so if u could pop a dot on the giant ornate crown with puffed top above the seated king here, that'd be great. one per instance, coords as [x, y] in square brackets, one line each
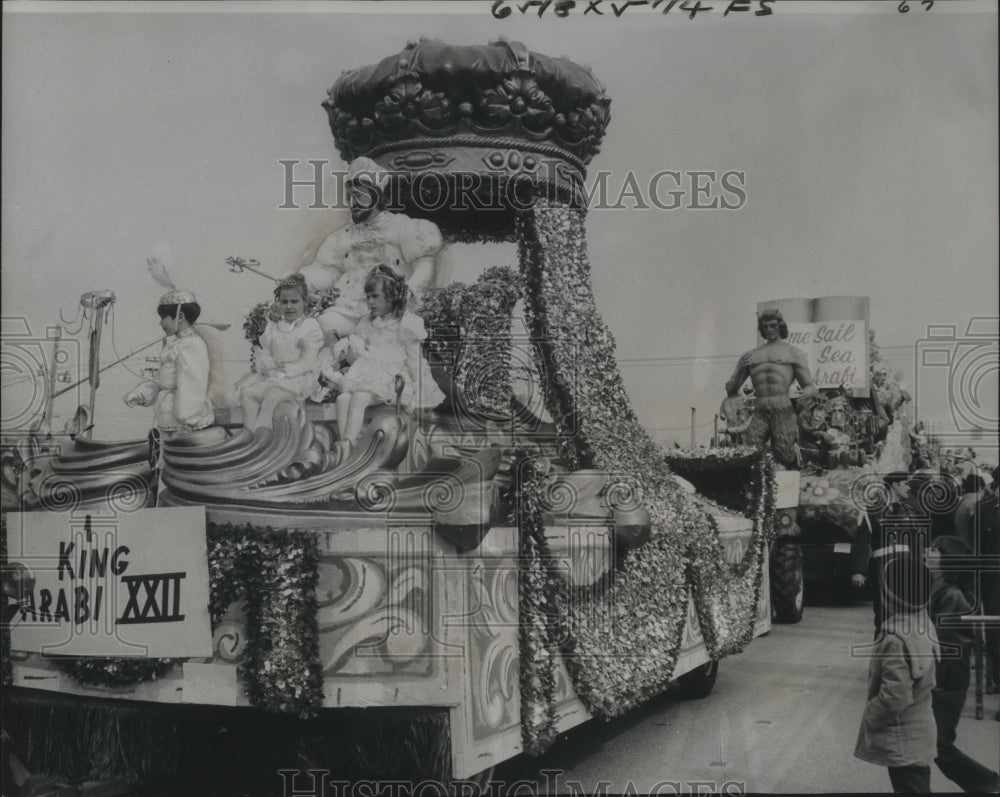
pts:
[497, 110]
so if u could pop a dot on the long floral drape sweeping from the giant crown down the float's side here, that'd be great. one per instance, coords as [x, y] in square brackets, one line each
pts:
[622, 640]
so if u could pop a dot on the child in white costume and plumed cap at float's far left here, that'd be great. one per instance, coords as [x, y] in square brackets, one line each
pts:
[180, 390]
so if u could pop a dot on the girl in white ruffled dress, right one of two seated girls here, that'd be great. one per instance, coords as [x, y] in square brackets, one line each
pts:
[385, 345]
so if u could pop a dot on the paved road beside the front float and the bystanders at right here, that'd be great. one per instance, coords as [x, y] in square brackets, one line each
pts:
[783, 718]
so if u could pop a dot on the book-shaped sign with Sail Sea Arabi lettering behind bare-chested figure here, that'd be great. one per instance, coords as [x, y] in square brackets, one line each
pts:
[833, 332]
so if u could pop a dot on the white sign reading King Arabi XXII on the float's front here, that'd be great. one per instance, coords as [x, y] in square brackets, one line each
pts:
[110, 583]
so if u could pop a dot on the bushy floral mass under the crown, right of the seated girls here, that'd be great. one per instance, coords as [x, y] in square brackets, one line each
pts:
[469, 331]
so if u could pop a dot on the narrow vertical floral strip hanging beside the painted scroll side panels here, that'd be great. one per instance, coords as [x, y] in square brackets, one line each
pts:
[538, 591]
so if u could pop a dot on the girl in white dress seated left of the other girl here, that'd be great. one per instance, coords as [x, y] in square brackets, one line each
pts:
[287, 360]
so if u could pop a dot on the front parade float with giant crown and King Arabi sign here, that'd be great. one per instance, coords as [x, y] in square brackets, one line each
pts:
[461, 586]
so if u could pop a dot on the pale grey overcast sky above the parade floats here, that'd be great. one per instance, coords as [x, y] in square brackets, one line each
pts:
[867, 140]
